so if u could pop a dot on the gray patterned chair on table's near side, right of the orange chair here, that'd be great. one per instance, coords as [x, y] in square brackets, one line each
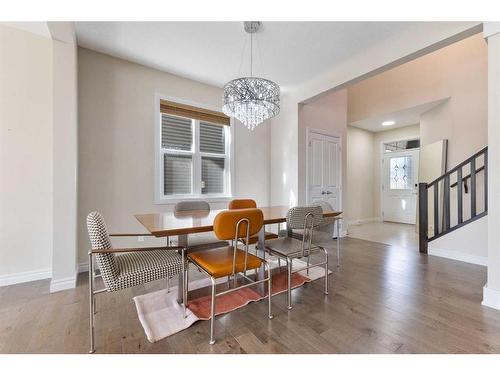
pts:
[289, 248]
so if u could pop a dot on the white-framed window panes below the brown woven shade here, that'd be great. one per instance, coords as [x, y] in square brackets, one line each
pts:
[194, 157]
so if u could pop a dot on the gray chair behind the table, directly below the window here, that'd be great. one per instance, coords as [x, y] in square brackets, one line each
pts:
[200, 241]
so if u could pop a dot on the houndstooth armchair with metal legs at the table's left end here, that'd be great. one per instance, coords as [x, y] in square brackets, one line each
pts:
[125, 268]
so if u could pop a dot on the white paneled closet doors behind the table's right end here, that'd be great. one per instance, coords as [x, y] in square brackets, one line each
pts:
[324, 169]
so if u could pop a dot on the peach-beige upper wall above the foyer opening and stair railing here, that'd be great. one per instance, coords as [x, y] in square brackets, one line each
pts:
[457, 72]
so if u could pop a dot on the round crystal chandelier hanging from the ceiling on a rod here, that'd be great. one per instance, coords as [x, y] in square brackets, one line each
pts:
[251, 100]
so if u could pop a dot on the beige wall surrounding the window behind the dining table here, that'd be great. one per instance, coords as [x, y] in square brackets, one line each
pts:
[116, 142]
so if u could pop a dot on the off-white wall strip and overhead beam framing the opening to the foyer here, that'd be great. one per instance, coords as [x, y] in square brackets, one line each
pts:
[401, 47]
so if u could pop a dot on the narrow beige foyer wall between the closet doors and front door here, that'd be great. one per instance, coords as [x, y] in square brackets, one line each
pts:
[360, 174]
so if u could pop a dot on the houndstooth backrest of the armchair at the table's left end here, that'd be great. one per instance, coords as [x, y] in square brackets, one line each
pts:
[99, 239]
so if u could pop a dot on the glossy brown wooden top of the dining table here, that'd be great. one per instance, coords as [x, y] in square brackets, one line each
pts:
[187, 222]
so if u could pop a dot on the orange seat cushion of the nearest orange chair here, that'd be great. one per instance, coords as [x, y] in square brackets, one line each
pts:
[219, 262]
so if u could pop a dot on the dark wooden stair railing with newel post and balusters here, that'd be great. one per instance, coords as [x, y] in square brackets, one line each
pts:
[455, 199]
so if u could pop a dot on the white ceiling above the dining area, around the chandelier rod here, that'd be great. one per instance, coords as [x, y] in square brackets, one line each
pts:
[213, 52]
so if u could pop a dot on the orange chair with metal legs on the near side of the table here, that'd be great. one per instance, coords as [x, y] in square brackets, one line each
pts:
[230, 261]
